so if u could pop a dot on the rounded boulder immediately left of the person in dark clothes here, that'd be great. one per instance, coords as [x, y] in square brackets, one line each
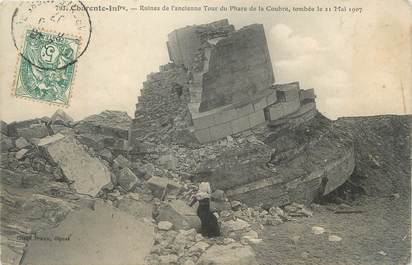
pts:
[179, 214]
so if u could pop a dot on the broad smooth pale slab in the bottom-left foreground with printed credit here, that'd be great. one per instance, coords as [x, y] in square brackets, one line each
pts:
[105, 235]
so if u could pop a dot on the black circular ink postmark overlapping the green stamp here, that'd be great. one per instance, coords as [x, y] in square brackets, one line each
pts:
[59, 32]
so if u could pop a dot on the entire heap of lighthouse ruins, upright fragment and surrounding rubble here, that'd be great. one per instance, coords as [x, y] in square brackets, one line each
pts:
[262, 171]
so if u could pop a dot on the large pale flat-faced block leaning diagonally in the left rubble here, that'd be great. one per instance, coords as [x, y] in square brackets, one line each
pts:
[87, 173]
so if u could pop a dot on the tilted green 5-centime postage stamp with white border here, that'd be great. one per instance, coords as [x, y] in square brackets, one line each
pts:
[47, 67]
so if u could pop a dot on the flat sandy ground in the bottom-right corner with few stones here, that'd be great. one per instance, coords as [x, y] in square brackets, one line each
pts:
[379, 235]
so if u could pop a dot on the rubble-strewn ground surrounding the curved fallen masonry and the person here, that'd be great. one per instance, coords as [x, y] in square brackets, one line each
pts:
[136, 200]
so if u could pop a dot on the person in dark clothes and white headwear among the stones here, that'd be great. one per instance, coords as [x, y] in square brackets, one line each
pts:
[209, 224]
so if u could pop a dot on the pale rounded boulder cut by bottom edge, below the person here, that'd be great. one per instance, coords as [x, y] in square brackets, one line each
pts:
[230, 254]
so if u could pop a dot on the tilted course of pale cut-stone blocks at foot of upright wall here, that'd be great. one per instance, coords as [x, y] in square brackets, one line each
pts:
[279, 102]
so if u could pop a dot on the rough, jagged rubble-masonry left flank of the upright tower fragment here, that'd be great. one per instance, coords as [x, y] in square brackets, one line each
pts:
[162, 105]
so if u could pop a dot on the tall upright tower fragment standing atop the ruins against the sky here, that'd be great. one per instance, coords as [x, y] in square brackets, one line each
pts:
[219, 84]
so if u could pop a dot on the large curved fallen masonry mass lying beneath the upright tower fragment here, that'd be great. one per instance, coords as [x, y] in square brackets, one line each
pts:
[288, 167]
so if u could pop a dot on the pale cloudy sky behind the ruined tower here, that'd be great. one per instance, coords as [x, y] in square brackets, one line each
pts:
[359, 64]
